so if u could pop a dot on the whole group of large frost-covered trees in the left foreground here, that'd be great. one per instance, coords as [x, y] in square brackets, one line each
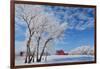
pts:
[42, 30]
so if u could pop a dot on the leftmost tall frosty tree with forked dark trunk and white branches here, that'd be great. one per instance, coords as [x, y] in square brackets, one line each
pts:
[24, 15]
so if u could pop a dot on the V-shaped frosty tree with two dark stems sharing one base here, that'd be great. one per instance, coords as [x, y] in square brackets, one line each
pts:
[46, 29]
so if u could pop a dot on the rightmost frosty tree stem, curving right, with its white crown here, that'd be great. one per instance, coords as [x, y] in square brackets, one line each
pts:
[54, 31]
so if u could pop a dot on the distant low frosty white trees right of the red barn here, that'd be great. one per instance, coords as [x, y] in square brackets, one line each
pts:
[83, 50]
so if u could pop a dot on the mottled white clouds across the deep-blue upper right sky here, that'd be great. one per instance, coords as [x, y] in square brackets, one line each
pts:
[77, 18]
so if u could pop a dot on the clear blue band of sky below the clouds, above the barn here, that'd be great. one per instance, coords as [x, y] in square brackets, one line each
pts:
[77, 38]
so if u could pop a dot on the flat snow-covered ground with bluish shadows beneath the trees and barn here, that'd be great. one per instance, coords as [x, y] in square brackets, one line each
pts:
[57, 59]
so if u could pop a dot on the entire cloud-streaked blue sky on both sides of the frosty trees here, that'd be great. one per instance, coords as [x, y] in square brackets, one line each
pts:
[80, 30]
